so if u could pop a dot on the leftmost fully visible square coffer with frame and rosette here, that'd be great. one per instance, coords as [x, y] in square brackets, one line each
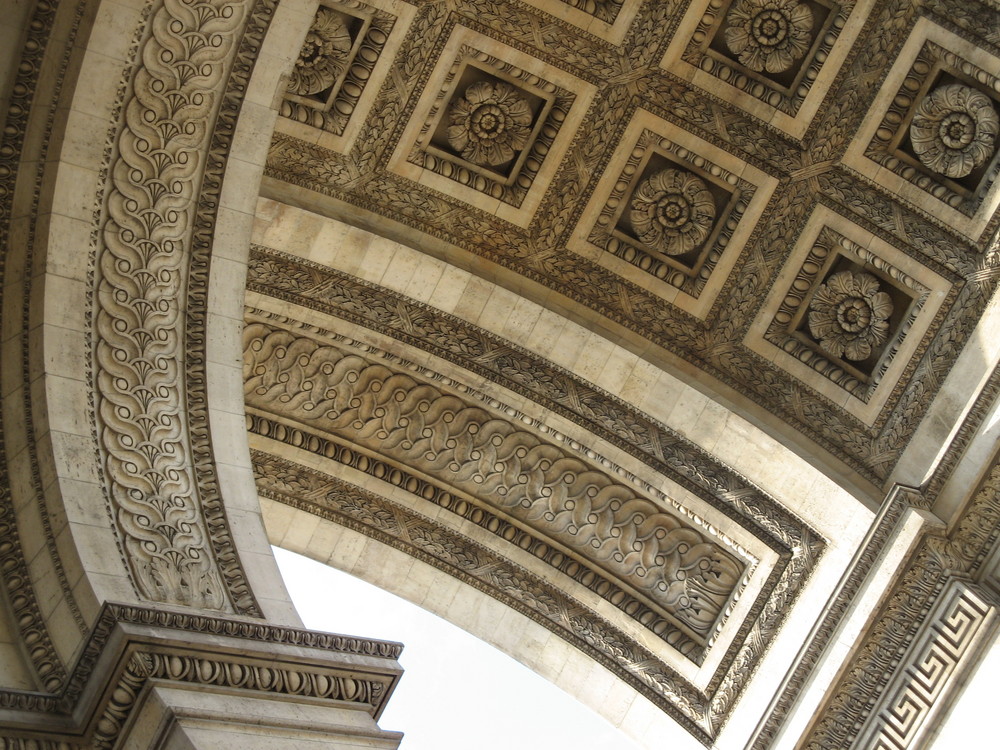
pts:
[491, 126]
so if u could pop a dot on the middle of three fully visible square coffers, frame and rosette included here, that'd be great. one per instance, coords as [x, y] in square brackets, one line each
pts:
[673, 214]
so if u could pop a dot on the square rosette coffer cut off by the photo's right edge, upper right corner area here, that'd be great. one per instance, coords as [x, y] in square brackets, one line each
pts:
[935, 130]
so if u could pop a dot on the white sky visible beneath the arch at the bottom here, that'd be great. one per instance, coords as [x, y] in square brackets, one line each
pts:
[457, 692]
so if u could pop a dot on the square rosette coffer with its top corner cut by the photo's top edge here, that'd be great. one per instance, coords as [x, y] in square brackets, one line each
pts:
[774, 58]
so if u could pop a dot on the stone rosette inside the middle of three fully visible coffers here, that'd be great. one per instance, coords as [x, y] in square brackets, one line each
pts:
[672, 212]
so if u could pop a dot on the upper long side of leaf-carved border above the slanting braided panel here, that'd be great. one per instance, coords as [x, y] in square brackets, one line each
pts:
[487, 355]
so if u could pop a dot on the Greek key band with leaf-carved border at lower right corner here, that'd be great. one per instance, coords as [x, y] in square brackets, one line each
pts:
[936, 579]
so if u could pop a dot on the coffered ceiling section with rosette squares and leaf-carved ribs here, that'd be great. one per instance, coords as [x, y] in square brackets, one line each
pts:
[793, 203]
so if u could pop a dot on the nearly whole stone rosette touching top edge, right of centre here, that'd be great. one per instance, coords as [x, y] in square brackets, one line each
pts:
[769, 35]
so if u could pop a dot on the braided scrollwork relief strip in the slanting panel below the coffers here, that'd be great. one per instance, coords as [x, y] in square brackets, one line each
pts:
[575, 505]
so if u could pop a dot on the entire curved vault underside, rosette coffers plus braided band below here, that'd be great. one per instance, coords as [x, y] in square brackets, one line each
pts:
[788, 208]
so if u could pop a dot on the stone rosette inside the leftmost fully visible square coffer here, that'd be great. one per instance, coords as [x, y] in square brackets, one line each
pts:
[490, 123]
